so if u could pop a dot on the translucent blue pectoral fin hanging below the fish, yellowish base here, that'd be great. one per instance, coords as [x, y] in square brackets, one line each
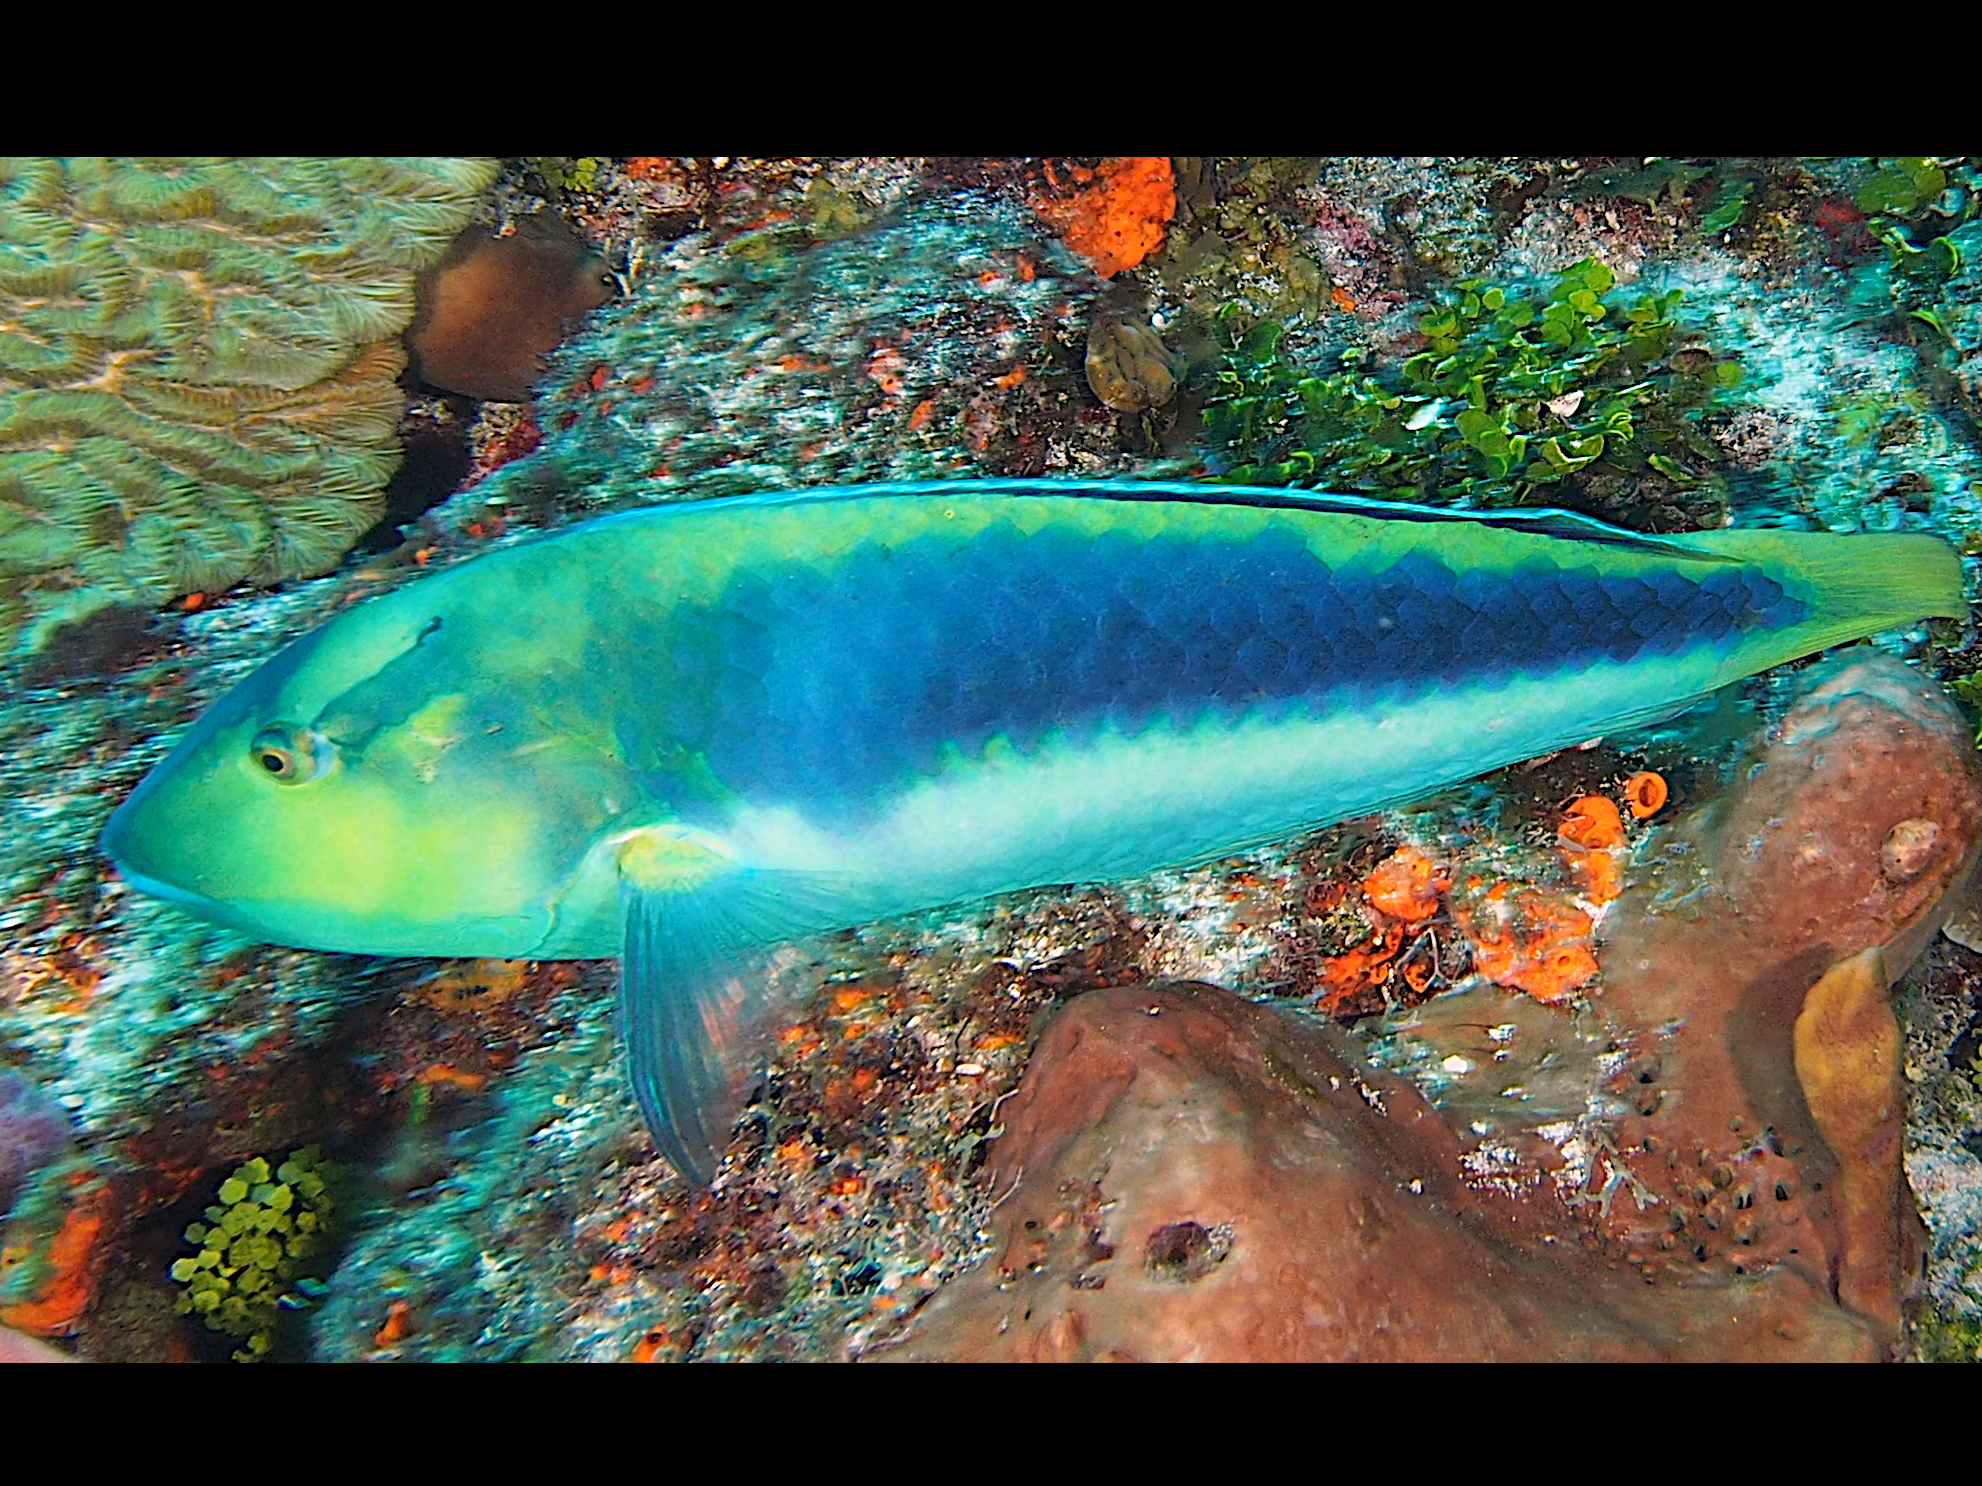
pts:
[697, 984]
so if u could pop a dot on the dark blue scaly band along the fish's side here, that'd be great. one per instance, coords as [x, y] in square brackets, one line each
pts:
[826, 685]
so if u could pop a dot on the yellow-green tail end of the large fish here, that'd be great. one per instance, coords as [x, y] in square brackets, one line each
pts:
[1844, 587]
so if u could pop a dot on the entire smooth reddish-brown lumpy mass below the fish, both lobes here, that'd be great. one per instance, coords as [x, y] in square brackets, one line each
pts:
[1190, 1176]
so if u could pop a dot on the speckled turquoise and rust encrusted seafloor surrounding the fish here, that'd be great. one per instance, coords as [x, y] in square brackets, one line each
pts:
[820, 322]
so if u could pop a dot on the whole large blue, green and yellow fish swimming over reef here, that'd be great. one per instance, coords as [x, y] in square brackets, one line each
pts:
[693, 732]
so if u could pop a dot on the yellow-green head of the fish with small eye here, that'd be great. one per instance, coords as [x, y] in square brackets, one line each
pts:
[376, 790]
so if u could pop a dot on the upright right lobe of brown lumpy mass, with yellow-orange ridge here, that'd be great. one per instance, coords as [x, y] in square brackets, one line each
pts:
[1759, 1059]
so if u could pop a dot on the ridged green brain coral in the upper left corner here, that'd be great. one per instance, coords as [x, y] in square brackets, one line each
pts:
[197, 368]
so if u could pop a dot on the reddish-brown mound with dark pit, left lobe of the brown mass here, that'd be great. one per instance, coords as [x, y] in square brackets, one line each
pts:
[1196, 1178]
